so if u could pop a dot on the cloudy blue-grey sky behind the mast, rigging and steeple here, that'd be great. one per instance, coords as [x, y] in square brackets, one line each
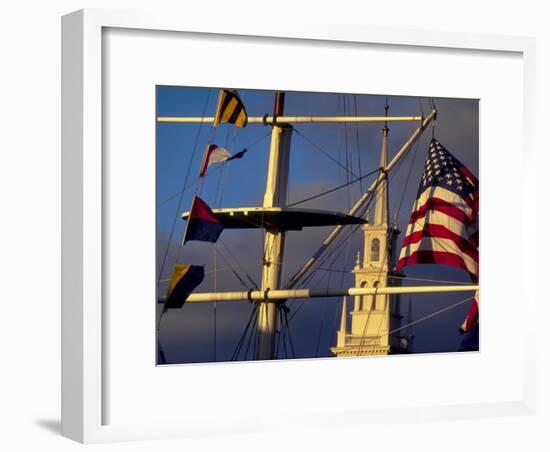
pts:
[187, 335]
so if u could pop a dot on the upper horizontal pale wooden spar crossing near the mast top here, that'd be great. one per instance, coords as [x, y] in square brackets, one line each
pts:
[296, 119]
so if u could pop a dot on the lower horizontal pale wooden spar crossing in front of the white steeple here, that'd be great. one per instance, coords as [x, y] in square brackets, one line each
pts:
[260, 295]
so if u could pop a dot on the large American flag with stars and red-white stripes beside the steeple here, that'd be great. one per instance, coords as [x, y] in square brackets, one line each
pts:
[443, 224]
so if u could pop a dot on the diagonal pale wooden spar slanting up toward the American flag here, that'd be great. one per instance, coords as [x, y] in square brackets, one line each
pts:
[336, 231]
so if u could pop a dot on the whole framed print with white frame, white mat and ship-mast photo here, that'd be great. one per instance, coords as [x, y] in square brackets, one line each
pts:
[247, 209]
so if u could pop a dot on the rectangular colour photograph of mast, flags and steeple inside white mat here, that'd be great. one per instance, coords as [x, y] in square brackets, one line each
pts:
[314, 225]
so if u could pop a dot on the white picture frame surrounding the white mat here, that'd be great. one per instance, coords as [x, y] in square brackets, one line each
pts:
[85, 390]
